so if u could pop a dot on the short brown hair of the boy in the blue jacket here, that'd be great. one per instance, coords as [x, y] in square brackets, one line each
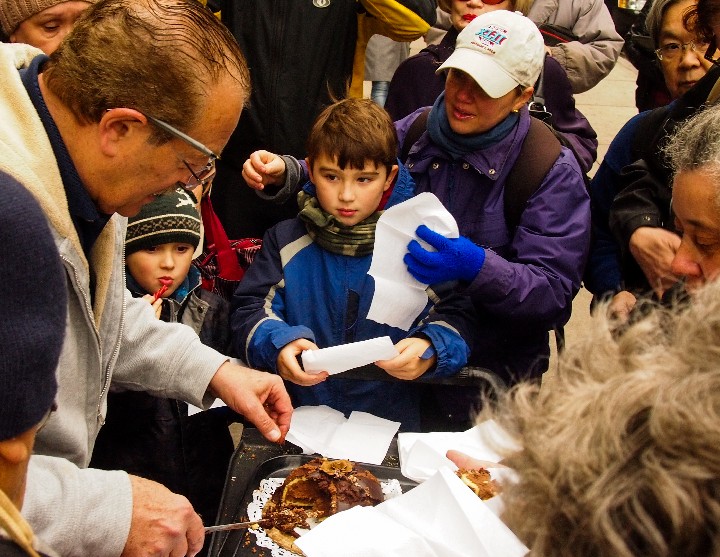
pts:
[354, 132]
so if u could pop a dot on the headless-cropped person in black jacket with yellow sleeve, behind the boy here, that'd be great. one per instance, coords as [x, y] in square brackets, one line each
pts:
[302, 56]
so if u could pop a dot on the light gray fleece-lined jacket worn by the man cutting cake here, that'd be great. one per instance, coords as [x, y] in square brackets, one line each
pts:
[115, 339]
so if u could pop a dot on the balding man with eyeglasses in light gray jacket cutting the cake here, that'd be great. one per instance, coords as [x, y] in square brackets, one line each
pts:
[141, 96]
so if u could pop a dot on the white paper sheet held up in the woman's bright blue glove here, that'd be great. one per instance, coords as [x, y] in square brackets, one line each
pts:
[399, 298]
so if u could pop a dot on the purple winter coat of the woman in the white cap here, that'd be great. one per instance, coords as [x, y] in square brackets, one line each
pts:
[526, 286]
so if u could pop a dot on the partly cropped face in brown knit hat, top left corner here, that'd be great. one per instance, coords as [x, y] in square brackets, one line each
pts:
[40, 23]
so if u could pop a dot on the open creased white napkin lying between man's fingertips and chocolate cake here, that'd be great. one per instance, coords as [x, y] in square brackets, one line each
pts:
[362, 437]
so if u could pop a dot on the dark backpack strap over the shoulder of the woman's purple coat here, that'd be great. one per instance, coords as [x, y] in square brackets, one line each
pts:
[538, 153]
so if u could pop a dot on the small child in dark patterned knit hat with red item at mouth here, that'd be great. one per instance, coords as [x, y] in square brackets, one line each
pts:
[153, 437]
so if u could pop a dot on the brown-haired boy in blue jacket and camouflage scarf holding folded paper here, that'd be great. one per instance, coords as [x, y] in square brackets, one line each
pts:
[309, 286]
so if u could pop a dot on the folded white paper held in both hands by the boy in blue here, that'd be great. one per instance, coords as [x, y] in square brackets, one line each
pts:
[337, 359]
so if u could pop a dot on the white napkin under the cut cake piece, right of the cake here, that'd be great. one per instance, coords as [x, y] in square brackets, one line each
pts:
[423, 454]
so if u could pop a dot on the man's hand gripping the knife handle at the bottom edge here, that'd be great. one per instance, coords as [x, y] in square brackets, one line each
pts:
[163, 523]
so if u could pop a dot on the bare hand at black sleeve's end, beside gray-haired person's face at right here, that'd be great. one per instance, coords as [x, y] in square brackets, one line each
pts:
[654, 249]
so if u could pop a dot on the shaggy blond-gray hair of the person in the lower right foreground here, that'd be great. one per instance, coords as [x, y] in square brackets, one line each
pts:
[620, 452]
